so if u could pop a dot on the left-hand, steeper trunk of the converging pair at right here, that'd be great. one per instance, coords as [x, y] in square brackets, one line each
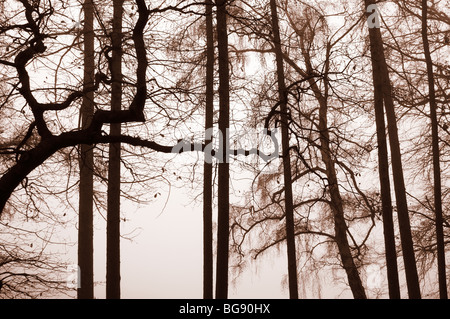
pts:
[385, 187]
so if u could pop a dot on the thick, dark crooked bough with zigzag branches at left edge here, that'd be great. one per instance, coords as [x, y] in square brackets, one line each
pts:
[93, 133]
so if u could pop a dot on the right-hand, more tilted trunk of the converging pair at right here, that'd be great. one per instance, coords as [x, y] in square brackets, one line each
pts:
[378, 58]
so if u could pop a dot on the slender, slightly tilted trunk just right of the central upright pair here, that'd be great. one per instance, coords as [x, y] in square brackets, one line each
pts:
[289, 202]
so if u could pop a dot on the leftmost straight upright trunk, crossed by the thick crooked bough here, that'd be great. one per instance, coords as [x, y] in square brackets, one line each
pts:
[85, 229]
